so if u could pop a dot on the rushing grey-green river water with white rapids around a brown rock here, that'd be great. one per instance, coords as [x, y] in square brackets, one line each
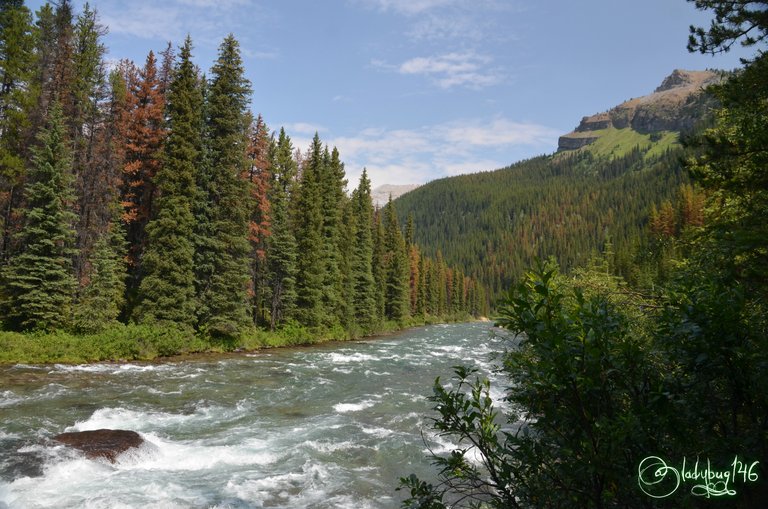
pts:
[324, 427]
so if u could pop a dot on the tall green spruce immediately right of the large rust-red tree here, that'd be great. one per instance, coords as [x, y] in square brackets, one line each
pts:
[167, 291]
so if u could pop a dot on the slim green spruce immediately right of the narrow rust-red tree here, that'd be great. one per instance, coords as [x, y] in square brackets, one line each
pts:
[281, 245]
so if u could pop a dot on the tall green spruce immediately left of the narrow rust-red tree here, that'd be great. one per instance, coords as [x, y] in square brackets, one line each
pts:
[225, 294]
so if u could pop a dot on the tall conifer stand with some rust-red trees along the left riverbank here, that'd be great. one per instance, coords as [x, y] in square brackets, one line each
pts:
[151, 195]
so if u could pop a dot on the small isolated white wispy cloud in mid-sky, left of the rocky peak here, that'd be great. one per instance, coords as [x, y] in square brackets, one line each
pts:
[459, 69]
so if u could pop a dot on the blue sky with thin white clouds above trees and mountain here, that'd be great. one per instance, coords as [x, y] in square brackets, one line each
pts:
[416, 90]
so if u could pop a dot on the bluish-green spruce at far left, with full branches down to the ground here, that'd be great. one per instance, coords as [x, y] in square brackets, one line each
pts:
[39, 281]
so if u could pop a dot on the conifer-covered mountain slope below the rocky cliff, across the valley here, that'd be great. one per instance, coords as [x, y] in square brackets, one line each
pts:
[571, 206]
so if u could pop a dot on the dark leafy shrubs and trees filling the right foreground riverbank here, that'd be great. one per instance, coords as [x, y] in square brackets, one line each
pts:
[606, 375]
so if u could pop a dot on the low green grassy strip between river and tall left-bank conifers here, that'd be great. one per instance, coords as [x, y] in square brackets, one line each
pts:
[145, 343]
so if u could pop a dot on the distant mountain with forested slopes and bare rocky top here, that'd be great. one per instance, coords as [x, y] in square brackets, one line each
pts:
[593, 195]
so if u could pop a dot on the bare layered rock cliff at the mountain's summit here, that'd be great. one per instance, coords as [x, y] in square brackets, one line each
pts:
[676, 105]
